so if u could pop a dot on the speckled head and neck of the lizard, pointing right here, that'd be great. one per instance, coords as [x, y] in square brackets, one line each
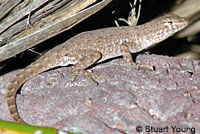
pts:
[161, 28]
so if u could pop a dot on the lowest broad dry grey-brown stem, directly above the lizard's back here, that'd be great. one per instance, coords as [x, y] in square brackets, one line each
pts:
[22, 44]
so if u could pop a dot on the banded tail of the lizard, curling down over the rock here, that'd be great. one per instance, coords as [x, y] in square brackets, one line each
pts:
[17, 82]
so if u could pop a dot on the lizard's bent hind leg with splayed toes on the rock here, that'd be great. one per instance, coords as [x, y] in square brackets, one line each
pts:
[89, 58]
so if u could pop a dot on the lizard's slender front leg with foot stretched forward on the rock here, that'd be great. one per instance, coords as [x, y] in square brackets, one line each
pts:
[126, 53]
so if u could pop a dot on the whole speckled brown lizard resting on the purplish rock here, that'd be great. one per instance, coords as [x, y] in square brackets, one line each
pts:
[90, 47]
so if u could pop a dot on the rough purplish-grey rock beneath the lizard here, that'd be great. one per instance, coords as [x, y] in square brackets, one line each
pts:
[165, 98]
